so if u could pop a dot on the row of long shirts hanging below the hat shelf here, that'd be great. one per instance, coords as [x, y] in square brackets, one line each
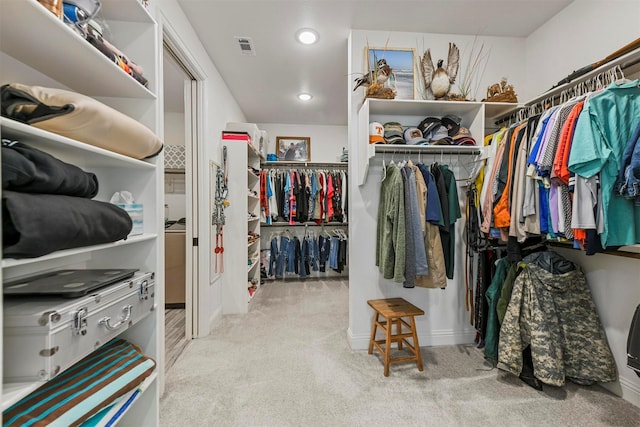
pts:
[415, 236]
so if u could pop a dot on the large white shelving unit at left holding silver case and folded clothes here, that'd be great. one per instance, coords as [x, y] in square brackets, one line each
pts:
[53, 55]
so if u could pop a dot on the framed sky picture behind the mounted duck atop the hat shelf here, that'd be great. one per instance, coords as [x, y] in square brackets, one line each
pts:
[403, 66]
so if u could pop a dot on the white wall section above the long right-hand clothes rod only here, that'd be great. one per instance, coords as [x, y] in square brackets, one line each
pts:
[584, 32]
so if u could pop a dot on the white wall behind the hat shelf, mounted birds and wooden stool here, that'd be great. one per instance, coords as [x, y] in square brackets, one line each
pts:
[446, 320]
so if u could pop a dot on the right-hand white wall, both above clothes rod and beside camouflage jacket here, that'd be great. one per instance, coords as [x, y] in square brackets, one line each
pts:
[582, 33]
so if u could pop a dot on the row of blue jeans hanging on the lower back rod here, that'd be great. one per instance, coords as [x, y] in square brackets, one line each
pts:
[290, 254]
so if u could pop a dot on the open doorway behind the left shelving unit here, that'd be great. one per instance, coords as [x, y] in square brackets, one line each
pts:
[180, 213]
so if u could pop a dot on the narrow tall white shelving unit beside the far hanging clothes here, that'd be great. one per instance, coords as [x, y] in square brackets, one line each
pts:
[241, 257]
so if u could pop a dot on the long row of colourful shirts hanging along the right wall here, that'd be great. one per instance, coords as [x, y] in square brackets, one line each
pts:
[556, 173]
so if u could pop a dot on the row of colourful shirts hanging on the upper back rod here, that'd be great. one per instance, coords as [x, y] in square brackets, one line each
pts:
[301, 195]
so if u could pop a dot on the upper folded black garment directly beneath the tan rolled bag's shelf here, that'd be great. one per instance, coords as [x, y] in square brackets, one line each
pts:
[30, 170]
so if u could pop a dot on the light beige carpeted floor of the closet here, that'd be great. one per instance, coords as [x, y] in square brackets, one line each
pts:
[288, 363]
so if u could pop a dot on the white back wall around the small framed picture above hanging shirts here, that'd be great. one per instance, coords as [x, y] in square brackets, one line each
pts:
[326, 141]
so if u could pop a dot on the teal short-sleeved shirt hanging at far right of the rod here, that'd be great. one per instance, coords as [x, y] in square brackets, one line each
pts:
[602, 132]
